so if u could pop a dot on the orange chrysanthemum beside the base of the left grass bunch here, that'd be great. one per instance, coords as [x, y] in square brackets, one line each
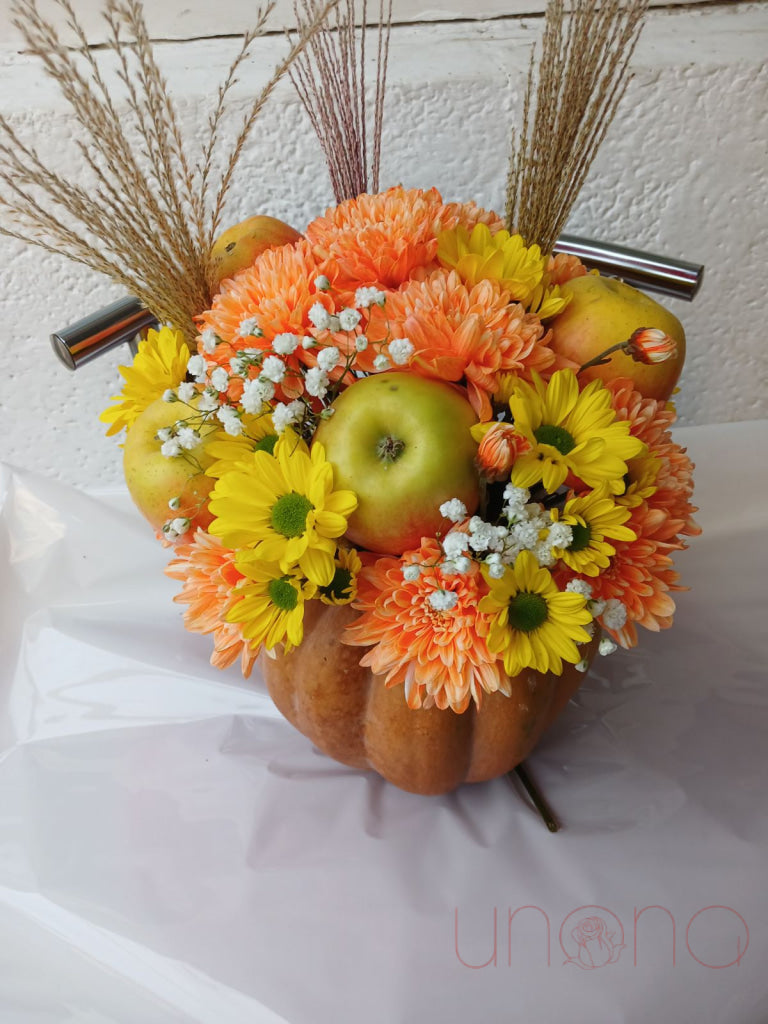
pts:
[277, 292]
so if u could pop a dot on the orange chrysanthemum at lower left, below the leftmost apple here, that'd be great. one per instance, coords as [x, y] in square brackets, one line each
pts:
[207, 571]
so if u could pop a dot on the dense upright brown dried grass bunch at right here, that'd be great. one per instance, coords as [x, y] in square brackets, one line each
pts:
[576, 91]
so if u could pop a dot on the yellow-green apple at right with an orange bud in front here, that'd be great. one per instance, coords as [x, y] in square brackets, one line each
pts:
[605, 312]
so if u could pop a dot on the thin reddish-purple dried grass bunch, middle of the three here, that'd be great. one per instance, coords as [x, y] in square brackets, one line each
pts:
[330, 78]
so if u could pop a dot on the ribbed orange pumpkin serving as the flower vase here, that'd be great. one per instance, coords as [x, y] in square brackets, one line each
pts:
[352, 716]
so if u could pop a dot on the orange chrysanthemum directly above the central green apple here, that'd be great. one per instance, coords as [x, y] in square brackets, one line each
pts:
[459, 332]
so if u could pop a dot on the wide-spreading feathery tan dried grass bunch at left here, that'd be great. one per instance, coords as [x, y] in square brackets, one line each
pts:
[151, 212]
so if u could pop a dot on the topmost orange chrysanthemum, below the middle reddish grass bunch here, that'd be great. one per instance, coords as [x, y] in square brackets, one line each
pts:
[381, 240]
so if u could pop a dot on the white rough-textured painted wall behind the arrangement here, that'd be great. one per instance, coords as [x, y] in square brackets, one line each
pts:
[681, 174]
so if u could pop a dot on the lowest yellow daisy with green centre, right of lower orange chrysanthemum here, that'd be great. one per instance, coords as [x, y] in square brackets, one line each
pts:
[535, 625]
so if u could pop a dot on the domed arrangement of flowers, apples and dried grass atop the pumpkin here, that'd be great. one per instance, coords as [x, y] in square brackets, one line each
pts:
[398, 411]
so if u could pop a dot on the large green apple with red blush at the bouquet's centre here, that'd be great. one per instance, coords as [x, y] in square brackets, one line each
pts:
[403, 444]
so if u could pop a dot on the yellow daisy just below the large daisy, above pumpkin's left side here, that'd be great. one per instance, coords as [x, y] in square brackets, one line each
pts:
[271, 610]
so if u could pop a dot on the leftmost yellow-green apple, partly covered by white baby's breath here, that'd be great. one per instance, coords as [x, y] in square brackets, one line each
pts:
[154, 480]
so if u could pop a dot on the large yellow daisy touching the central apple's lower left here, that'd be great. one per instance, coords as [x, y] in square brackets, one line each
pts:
[284, 508]
